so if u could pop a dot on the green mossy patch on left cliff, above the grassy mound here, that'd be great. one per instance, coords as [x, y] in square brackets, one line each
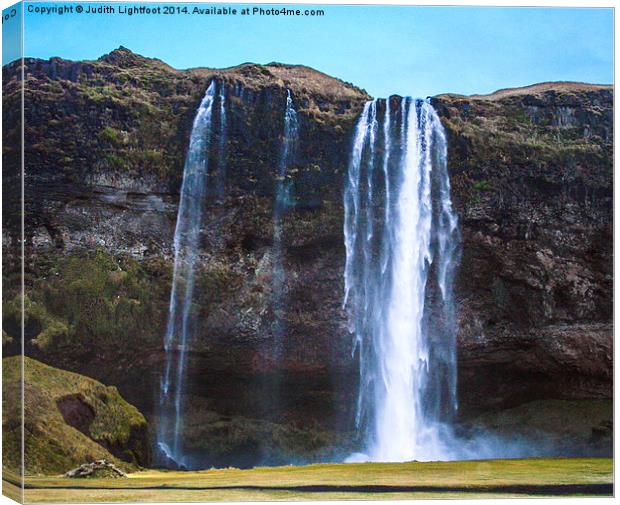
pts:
[95, 301]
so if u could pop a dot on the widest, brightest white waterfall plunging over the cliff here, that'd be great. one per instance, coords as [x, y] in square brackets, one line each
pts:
[401, 239]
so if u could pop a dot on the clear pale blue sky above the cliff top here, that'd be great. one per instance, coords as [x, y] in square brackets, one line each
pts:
[416, 51]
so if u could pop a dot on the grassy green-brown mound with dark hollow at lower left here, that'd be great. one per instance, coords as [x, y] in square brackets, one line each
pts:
[52, 446]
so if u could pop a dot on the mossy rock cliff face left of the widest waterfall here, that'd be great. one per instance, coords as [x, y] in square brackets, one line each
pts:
[106, 146]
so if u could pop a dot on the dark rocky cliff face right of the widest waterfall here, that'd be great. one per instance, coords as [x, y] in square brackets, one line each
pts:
[532, 176]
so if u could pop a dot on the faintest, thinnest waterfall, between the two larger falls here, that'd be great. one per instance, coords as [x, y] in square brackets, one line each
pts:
[282, 202]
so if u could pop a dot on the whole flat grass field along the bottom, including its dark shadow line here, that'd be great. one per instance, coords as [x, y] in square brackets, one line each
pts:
[462, 479]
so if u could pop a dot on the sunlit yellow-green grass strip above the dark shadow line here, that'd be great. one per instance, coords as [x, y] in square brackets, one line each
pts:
[461, 475]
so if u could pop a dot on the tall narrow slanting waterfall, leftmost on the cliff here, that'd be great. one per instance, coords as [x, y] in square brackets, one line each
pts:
[181, 319]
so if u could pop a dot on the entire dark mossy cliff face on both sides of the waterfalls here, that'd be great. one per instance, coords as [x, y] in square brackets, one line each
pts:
[106, 142]
